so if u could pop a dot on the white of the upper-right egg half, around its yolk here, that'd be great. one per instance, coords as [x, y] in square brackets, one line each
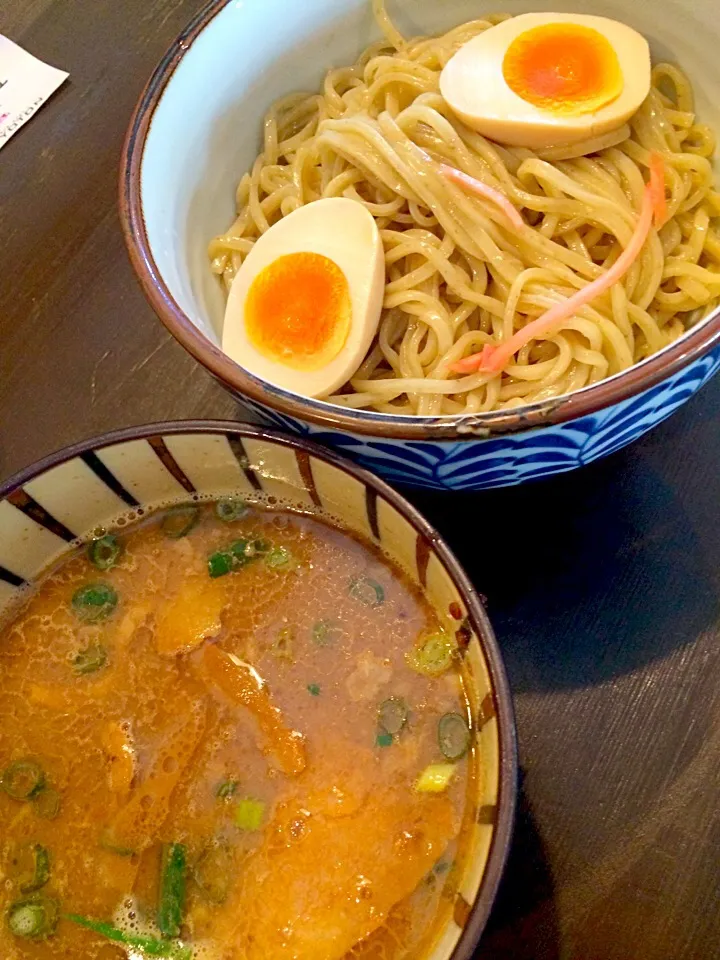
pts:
[474, 87]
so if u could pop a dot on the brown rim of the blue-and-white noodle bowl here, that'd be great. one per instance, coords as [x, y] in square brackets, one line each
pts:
[458, 427]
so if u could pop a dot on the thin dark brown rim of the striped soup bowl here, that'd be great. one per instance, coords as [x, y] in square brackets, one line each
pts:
[501, 692]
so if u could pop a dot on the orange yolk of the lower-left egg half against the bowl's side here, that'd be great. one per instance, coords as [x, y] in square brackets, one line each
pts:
[298, 311]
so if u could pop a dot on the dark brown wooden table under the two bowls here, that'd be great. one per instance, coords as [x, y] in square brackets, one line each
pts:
[603, 585]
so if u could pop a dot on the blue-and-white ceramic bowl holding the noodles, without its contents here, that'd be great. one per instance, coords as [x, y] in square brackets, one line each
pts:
[177, 189]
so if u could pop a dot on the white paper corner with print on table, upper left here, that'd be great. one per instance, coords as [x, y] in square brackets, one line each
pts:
[25, 84]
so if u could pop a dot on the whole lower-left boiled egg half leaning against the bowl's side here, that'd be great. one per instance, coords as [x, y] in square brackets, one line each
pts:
[305, 304]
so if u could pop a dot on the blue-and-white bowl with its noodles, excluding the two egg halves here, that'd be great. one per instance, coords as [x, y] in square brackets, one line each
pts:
[599, 314]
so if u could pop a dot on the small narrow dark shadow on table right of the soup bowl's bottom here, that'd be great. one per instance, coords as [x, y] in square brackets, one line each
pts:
[523, 924]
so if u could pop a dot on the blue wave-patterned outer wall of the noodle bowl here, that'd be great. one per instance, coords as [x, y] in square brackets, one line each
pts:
[506, 460]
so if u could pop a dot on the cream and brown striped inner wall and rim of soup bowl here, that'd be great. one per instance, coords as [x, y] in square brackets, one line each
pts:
[49, 508]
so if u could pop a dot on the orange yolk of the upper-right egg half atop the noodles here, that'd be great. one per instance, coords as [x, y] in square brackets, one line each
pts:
[563, 67]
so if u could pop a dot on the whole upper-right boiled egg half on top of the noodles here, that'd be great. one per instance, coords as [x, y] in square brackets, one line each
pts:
[548, 79]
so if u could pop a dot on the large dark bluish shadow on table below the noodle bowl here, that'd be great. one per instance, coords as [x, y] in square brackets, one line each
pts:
[589, 575]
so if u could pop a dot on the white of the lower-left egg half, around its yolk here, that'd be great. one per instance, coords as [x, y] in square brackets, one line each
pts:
[344, 231]
